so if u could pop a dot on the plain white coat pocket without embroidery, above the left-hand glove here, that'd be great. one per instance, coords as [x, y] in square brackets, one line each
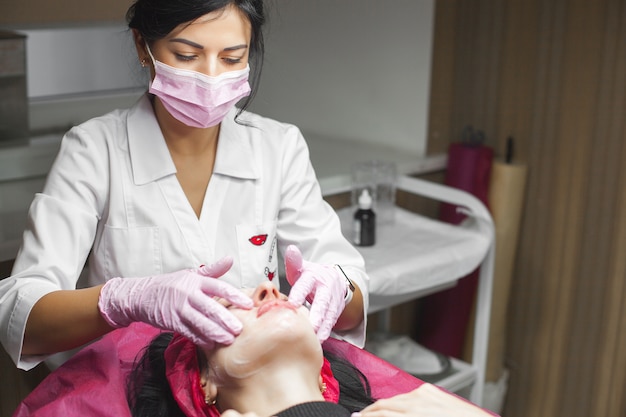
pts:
[132, 252]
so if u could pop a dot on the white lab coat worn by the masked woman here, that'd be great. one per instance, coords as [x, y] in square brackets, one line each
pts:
[112, 197]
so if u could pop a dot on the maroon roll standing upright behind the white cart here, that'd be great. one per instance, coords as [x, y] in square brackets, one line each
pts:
[444, 316]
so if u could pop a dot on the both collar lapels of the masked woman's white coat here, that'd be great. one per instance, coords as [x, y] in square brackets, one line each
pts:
[151, 160]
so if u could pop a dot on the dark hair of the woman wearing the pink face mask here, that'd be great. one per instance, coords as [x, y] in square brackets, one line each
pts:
[155, 19]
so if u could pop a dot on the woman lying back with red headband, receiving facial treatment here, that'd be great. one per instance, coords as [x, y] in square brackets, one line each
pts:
[275, 367]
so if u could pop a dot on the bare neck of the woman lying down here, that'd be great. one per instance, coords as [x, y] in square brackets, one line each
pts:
[271, 391]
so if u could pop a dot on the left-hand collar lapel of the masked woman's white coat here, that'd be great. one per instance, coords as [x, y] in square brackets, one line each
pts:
[149, 156]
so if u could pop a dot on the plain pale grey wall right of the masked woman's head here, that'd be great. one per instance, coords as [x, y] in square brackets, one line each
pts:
[350, 69]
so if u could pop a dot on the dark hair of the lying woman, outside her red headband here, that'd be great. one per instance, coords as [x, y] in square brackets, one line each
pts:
[149, 393]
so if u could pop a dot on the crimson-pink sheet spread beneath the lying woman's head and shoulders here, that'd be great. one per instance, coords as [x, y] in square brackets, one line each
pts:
[93, 382]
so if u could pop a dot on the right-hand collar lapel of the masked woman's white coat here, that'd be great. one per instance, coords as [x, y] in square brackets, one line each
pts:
[235, 156]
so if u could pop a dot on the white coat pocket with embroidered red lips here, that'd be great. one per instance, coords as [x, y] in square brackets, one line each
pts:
[257, 253]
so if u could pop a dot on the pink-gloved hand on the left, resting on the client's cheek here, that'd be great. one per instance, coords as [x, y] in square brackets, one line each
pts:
[180, 301]
